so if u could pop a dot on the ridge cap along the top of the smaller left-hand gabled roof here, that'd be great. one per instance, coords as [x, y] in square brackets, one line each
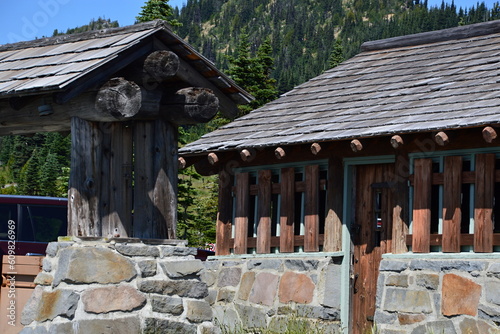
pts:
[92, 34]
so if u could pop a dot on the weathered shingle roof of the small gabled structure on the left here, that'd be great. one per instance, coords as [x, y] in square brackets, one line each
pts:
[58, 63]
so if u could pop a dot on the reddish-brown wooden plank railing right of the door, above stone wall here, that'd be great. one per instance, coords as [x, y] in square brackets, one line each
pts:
[483, 177]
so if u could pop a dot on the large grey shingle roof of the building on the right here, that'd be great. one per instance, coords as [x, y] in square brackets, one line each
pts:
[424, 82]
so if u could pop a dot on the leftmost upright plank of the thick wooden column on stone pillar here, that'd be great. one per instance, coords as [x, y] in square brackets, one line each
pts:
[84, 217]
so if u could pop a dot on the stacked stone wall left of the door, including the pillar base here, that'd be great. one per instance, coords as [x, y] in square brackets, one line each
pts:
[130, 287]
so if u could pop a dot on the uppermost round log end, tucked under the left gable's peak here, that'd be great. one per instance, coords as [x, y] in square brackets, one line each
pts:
[160, 66]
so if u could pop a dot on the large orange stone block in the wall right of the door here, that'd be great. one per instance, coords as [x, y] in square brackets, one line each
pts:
[459, 296]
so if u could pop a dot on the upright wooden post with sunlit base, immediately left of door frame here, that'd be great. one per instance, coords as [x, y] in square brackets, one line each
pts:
[333, 220]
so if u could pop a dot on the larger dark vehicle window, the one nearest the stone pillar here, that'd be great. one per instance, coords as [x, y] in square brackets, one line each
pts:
[42, 223]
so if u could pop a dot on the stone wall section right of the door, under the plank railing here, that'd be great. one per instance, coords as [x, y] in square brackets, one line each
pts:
[438, 296]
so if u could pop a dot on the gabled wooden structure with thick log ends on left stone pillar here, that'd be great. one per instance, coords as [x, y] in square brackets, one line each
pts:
[122, 93]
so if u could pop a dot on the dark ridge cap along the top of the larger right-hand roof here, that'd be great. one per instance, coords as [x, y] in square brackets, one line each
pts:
[456, 33]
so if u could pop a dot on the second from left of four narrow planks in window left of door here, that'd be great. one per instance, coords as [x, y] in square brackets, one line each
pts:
[264, 212]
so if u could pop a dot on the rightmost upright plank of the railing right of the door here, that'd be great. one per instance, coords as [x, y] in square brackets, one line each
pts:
[483, 210]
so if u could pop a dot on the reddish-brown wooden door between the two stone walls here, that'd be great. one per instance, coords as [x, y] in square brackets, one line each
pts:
[371, 237]
